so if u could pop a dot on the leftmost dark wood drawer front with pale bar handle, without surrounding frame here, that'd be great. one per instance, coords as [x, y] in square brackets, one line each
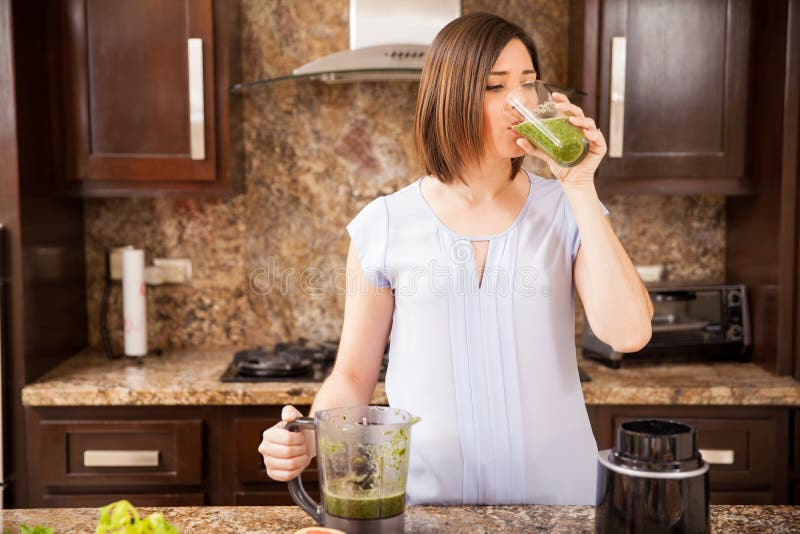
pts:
[83, 453]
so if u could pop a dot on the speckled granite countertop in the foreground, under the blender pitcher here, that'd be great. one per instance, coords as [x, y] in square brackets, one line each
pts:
[286, 519]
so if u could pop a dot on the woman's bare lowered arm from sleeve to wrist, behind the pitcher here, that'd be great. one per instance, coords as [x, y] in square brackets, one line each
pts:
[367, 321]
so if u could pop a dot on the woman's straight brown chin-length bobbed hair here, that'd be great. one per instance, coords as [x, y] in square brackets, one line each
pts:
[448, 124]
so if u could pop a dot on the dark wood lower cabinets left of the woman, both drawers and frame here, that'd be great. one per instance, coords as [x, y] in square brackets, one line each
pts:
[153, 456]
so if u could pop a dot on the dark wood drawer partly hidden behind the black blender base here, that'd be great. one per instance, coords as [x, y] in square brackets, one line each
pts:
[741, 451]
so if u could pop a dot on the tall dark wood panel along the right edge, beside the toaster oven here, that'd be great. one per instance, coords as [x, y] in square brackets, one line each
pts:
[760, 245]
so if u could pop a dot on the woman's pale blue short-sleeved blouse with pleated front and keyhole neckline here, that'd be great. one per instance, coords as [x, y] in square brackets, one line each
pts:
[490, 368]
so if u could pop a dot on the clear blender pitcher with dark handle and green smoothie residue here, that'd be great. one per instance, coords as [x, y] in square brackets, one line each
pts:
[362, 457]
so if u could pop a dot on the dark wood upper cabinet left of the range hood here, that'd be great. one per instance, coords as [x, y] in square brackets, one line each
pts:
[140, 96]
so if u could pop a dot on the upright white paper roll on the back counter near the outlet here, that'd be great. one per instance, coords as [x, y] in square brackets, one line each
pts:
[134, 304]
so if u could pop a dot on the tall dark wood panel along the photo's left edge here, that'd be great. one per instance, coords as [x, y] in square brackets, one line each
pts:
[45, 254]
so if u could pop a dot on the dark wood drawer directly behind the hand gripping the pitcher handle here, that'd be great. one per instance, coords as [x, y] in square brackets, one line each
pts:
[249, 462]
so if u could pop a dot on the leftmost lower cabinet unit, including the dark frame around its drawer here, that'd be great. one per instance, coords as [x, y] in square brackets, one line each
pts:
[89, 456]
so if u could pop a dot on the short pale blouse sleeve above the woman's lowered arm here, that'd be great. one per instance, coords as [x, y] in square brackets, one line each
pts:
[369, 232]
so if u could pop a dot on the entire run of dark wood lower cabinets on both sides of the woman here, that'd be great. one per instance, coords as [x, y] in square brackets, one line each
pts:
[208, 455]
